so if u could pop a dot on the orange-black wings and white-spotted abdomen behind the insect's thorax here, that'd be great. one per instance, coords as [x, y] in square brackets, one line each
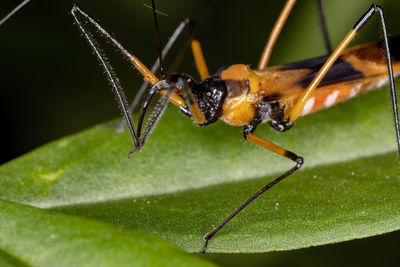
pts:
[358, 70]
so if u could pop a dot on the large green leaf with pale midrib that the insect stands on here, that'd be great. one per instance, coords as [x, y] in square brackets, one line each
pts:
[188, 179]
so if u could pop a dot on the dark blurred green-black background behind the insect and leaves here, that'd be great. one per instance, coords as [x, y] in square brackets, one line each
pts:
[51, 85]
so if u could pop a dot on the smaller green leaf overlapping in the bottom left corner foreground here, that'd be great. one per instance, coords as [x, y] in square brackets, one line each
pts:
[44, 238]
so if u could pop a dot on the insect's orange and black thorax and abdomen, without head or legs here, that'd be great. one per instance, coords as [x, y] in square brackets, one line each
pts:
[358, 70]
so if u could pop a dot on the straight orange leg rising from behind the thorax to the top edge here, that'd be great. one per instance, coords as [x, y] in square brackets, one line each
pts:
[273, 36]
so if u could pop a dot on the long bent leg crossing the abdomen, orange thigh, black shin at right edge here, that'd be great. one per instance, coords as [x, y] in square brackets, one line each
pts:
[296, 110]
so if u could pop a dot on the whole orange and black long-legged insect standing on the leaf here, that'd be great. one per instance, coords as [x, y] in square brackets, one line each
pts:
[241, 96]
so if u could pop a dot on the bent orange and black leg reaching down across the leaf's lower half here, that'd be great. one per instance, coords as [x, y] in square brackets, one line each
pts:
[252, 138]
